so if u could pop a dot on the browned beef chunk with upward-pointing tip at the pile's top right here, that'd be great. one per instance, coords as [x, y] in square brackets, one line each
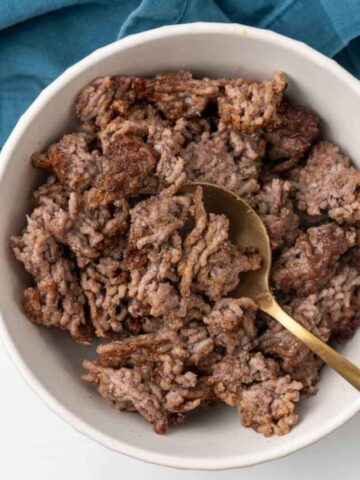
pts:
[248, 106]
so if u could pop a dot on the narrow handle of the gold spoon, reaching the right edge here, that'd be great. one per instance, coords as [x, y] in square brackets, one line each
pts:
[340, 364]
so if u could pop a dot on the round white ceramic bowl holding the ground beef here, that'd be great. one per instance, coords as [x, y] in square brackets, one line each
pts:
[49, 360]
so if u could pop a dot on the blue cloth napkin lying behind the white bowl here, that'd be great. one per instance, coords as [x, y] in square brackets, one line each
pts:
[39, 39]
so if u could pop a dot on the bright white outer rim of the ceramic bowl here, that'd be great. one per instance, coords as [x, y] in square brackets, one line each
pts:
[234, 461]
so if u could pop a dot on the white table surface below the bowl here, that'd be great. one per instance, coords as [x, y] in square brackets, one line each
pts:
[36, 444]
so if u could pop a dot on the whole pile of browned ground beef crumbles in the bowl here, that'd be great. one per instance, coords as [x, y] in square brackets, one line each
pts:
[117, 251]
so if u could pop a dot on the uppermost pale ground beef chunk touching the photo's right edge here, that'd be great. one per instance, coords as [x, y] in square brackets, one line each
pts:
[329, 183]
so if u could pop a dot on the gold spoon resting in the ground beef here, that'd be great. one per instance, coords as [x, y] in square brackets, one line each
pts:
[248, 230]
